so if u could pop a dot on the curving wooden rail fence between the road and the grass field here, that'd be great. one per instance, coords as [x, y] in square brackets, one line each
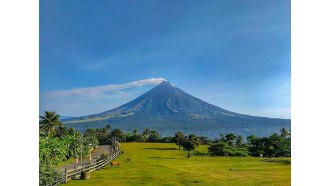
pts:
[90, 166]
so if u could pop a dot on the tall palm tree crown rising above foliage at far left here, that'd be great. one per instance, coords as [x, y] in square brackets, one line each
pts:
[48, 122]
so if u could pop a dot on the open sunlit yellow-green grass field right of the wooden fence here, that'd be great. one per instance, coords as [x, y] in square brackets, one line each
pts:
[164, 164]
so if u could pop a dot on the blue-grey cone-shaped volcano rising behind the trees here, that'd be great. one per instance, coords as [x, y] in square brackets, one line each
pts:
[167, 108]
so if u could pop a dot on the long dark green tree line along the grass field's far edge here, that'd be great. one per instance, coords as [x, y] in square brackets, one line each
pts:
[276, 145]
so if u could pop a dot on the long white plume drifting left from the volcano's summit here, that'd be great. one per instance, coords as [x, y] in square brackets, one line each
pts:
[99, 90]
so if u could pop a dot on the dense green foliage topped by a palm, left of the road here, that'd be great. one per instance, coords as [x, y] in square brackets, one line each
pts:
[57, 143]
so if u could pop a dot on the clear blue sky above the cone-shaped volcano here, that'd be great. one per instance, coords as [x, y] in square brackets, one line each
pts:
[96, 55]
